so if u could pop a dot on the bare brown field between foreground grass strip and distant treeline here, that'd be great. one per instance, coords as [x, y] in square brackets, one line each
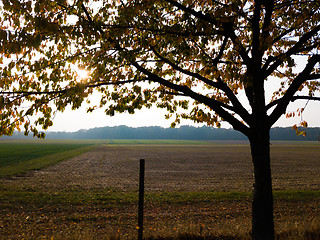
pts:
[178, 168]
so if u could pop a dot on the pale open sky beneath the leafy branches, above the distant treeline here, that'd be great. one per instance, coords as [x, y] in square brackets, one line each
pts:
[70, 121]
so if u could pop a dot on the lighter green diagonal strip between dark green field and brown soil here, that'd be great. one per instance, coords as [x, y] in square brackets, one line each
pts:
[39, 163]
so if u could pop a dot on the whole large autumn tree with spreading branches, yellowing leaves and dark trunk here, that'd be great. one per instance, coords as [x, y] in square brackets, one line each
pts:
[193, 58]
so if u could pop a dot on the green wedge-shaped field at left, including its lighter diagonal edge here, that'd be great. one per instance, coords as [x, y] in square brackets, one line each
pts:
[19, 156]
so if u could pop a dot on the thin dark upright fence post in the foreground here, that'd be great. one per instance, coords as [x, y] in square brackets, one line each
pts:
[141, 199]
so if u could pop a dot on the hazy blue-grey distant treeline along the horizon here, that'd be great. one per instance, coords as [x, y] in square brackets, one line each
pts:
[183, 132]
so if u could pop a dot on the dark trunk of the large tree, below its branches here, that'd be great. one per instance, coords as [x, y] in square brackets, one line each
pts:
[262, 204]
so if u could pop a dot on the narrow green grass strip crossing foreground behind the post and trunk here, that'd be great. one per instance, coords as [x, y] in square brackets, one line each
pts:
[114, 197]
